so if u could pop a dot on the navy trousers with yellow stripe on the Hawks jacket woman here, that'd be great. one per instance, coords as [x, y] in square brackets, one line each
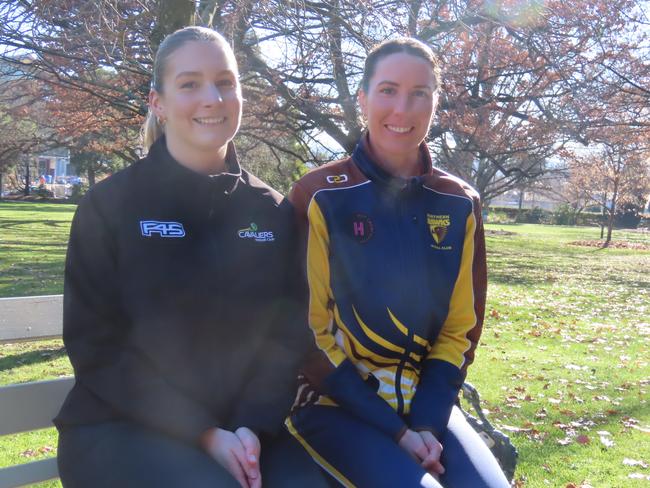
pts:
[359, 455]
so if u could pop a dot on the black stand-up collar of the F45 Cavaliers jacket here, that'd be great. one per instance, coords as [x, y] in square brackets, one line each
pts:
[227, 181]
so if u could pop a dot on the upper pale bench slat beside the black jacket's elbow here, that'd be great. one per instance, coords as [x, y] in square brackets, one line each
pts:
[30, 318]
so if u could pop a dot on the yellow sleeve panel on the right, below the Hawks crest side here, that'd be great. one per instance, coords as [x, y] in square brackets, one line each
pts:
[452, 343]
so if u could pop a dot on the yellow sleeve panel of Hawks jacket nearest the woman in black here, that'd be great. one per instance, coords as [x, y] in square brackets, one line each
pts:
[320, 293]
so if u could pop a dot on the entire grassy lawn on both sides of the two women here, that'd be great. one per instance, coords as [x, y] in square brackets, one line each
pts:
[563, 367]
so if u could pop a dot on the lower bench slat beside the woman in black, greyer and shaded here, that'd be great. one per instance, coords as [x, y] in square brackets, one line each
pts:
[31, 406]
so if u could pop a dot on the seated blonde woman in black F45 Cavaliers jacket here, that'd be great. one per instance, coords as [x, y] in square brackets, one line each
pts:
[182, 303]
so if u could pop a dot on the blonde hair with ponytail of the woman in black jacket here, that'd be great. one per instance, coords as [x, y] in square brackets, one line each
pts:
[152, 129]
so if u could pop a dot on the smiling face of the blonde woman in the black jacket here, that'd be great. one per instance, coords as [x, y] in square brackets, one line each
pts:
[201, 101]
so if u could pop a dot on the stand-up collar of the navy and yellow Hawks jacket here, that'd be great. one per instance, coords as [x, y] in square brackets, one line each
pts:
[362, 157]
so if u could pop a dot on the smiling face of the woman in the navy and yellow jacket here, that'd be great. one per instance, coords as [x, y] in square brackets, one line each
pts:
[399, 104]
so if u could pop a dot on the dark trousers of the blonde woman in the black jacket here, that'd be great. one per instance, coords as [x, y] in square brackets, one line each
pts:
[123, 454]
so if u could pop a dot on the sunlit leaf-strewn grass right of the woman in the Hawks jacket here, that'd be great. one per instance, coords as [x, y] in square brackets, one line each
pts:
[564, 358]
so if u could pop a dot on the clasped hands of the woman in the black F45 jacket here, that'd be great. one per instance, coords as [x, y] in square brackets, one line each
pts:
[238, 452]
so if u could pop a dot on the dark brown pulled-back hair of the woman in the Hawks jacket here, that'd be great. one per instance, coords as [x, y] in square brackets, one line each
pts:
[406, 45]
